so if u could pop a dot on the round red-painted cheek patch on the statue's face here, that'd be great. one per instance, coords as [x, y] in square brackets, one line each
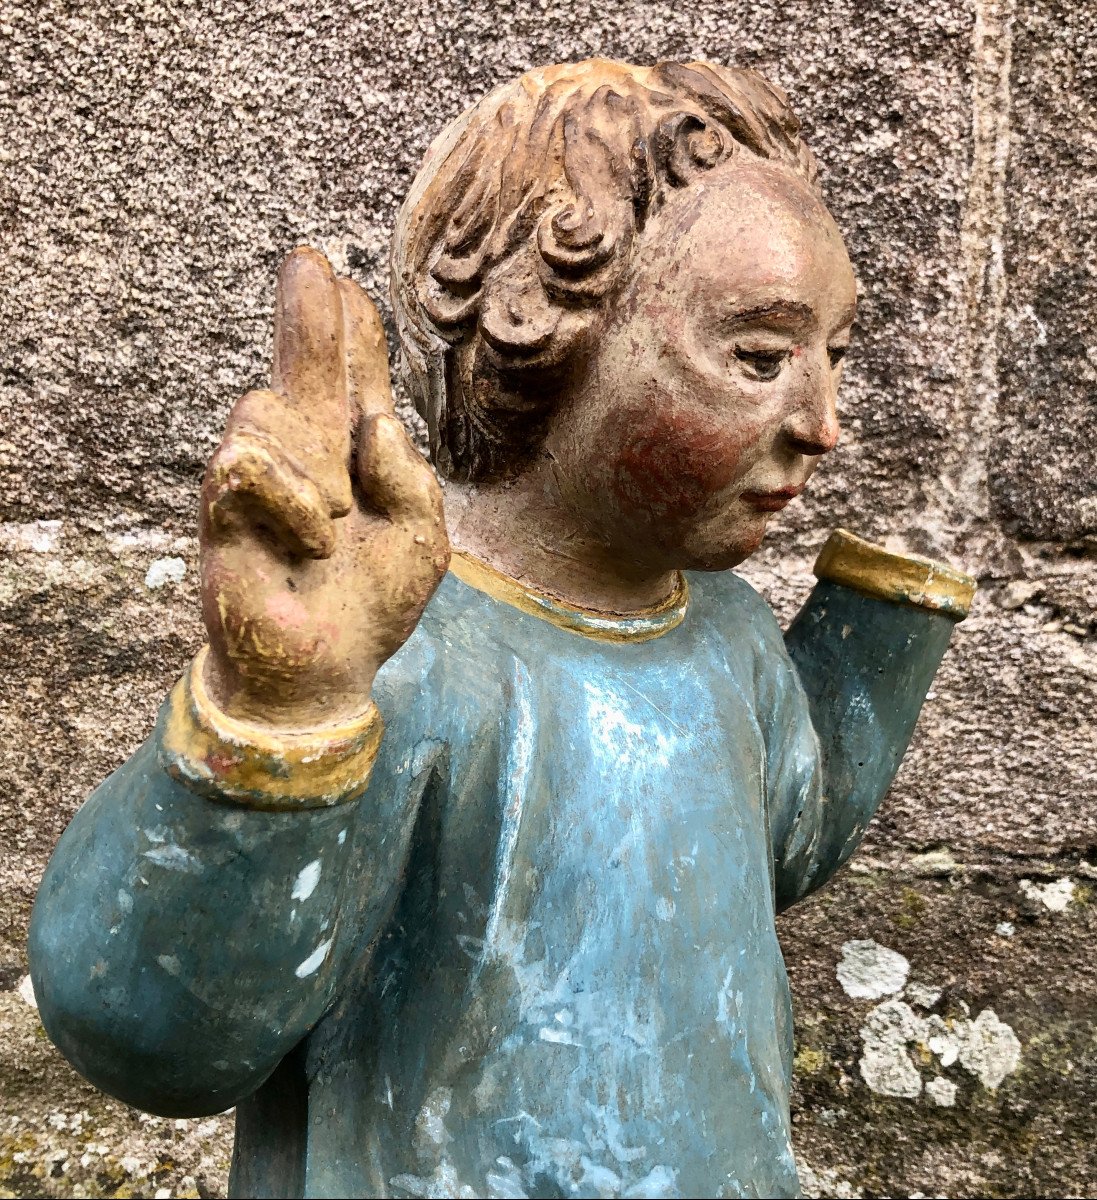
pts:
[673, 463]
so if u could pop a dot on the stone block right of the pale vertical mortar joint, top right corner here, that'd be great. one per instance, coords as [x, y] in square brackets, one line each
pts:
[1045, 483]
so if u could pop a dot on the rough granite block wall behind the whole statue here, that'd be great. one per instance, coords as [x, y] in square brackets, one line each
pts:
[161, 158]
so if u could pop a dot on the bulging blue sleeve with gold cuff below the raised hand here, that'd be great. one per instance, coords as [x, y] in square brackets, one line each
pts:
[202, 908]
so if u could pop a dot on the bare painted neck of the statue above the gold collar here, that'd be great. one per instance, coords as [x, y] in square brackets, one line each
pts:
[525, 530]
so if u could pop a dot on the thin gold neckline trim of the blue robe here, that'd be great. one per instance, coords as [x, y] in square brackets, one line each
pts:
[643, 626]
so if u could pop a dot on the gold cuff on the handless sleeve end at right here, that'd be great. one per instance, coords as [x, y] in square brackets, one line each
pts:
[903, 579]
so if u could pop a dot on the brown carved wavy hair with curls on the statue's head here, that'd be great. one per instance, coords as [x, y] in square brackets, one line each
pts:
[521, 223]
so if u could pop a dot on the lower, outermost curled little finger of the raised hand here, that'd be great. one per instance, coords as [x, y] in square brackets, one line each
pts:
[251, 487]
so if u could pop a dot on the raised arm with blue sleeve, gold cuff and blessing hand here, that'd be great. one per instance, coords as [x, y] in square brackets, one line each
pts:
[203, 907]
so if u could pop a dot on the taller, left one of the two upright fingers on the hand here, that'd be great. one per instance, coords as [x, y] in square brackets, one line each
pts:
[309, 339]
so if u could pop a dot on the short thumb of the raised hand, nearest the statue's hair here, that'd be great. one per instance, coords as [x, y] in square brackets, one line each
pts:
[395, 478]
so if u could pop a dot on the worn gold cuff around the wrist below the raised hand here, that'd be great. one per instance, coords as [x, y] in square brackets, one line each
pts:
[235, 763]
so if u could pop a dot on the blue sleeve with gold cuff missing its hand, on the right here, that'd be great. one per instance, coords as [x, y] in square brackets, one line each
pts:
[862, 656]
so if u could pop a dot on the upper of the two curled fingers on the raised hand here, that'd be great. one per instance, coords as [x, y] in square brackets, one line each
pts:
[301, 440]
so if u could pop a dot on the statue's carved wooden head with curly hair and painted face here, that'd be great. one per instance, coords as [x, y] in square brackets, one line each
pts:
[630, 267]
